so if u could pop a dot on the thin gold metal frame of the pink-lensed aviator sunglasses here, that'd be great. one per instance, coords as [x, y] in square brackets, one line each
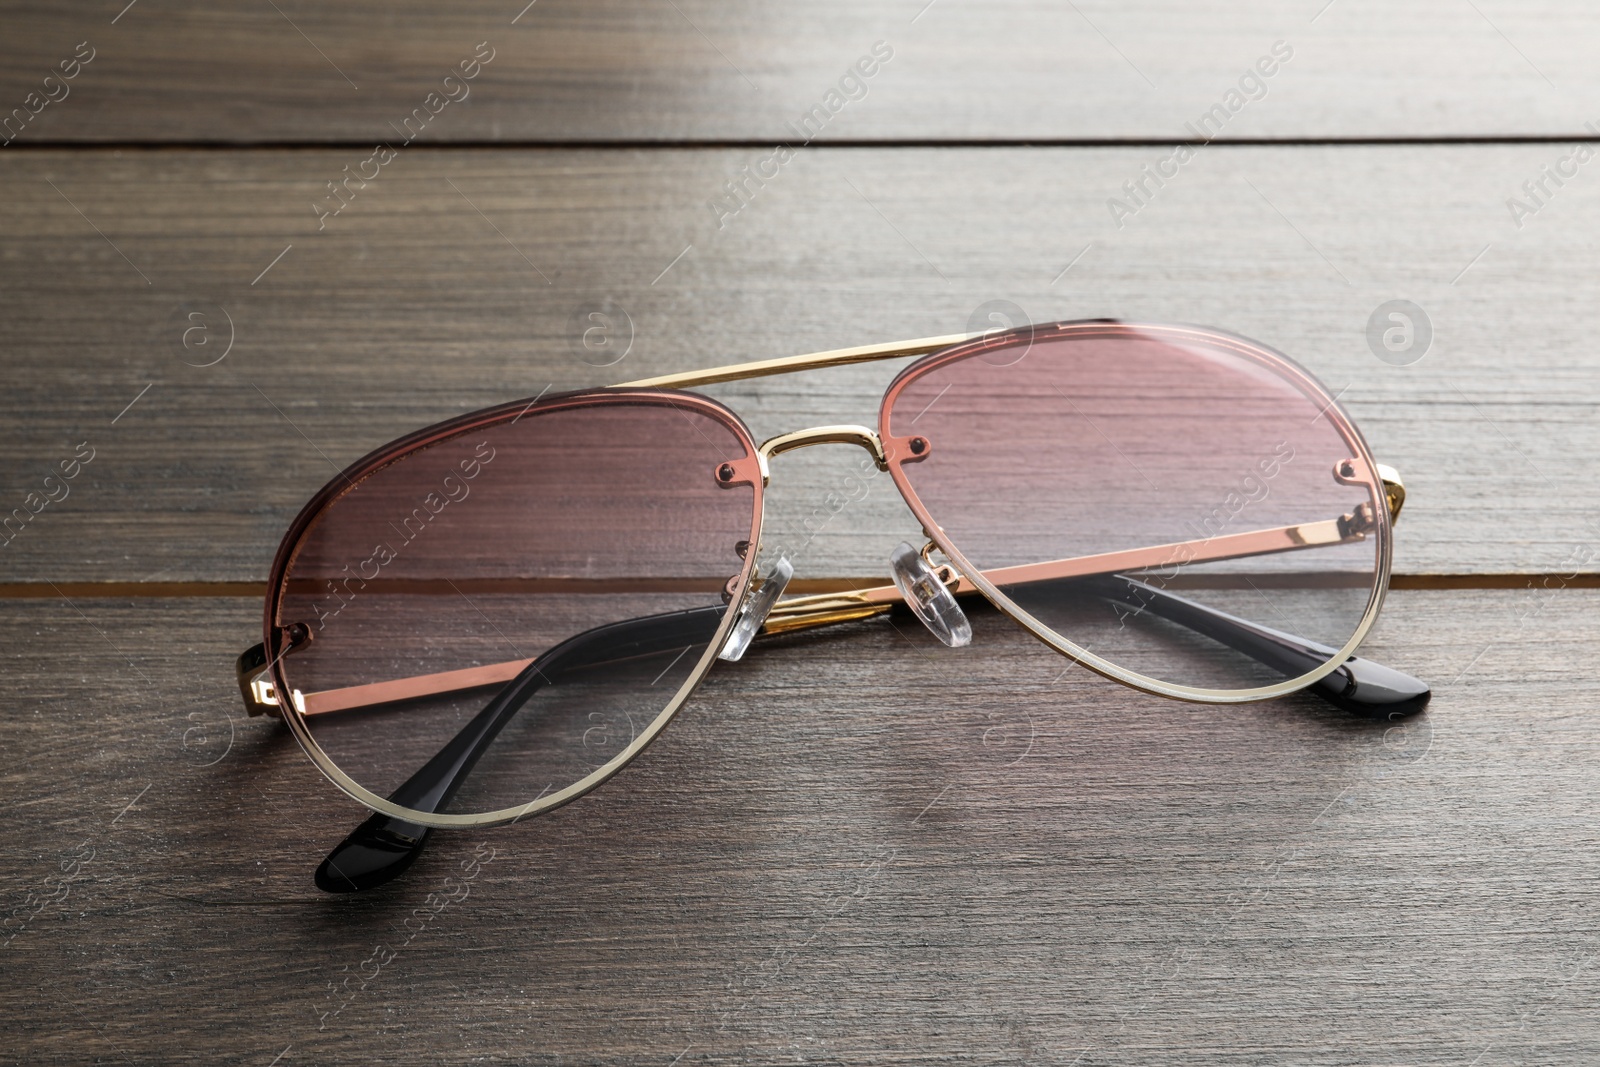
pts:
[262, 687]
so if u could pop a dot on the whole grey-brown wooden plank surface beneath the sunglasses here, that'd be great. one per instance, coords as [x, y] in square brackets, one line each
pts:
[855, 847]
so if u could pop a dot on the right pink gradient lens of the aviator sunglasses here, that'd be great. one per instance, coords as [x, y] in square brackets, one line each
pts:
[1231, 502]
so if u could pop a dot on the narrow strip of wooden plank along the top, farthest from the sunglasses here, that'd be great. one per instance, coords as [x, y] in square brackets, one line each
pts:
[697, 70]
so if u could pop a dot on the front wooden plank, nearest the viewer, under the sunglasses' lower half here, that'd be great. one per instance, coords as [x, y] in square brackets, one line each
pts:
[850, 847]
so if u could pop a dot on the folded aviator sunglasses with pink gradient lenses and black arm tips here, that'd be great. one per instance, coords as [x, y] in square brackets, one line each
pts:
[492, 617]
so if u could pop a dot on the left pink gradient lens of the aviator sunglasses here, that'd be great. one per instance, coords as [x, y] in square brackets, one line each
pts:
[594, 538]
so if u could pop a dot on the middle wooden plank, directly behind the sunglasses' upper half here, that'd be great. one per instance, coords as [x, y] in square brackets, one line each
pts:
[455, 282]
